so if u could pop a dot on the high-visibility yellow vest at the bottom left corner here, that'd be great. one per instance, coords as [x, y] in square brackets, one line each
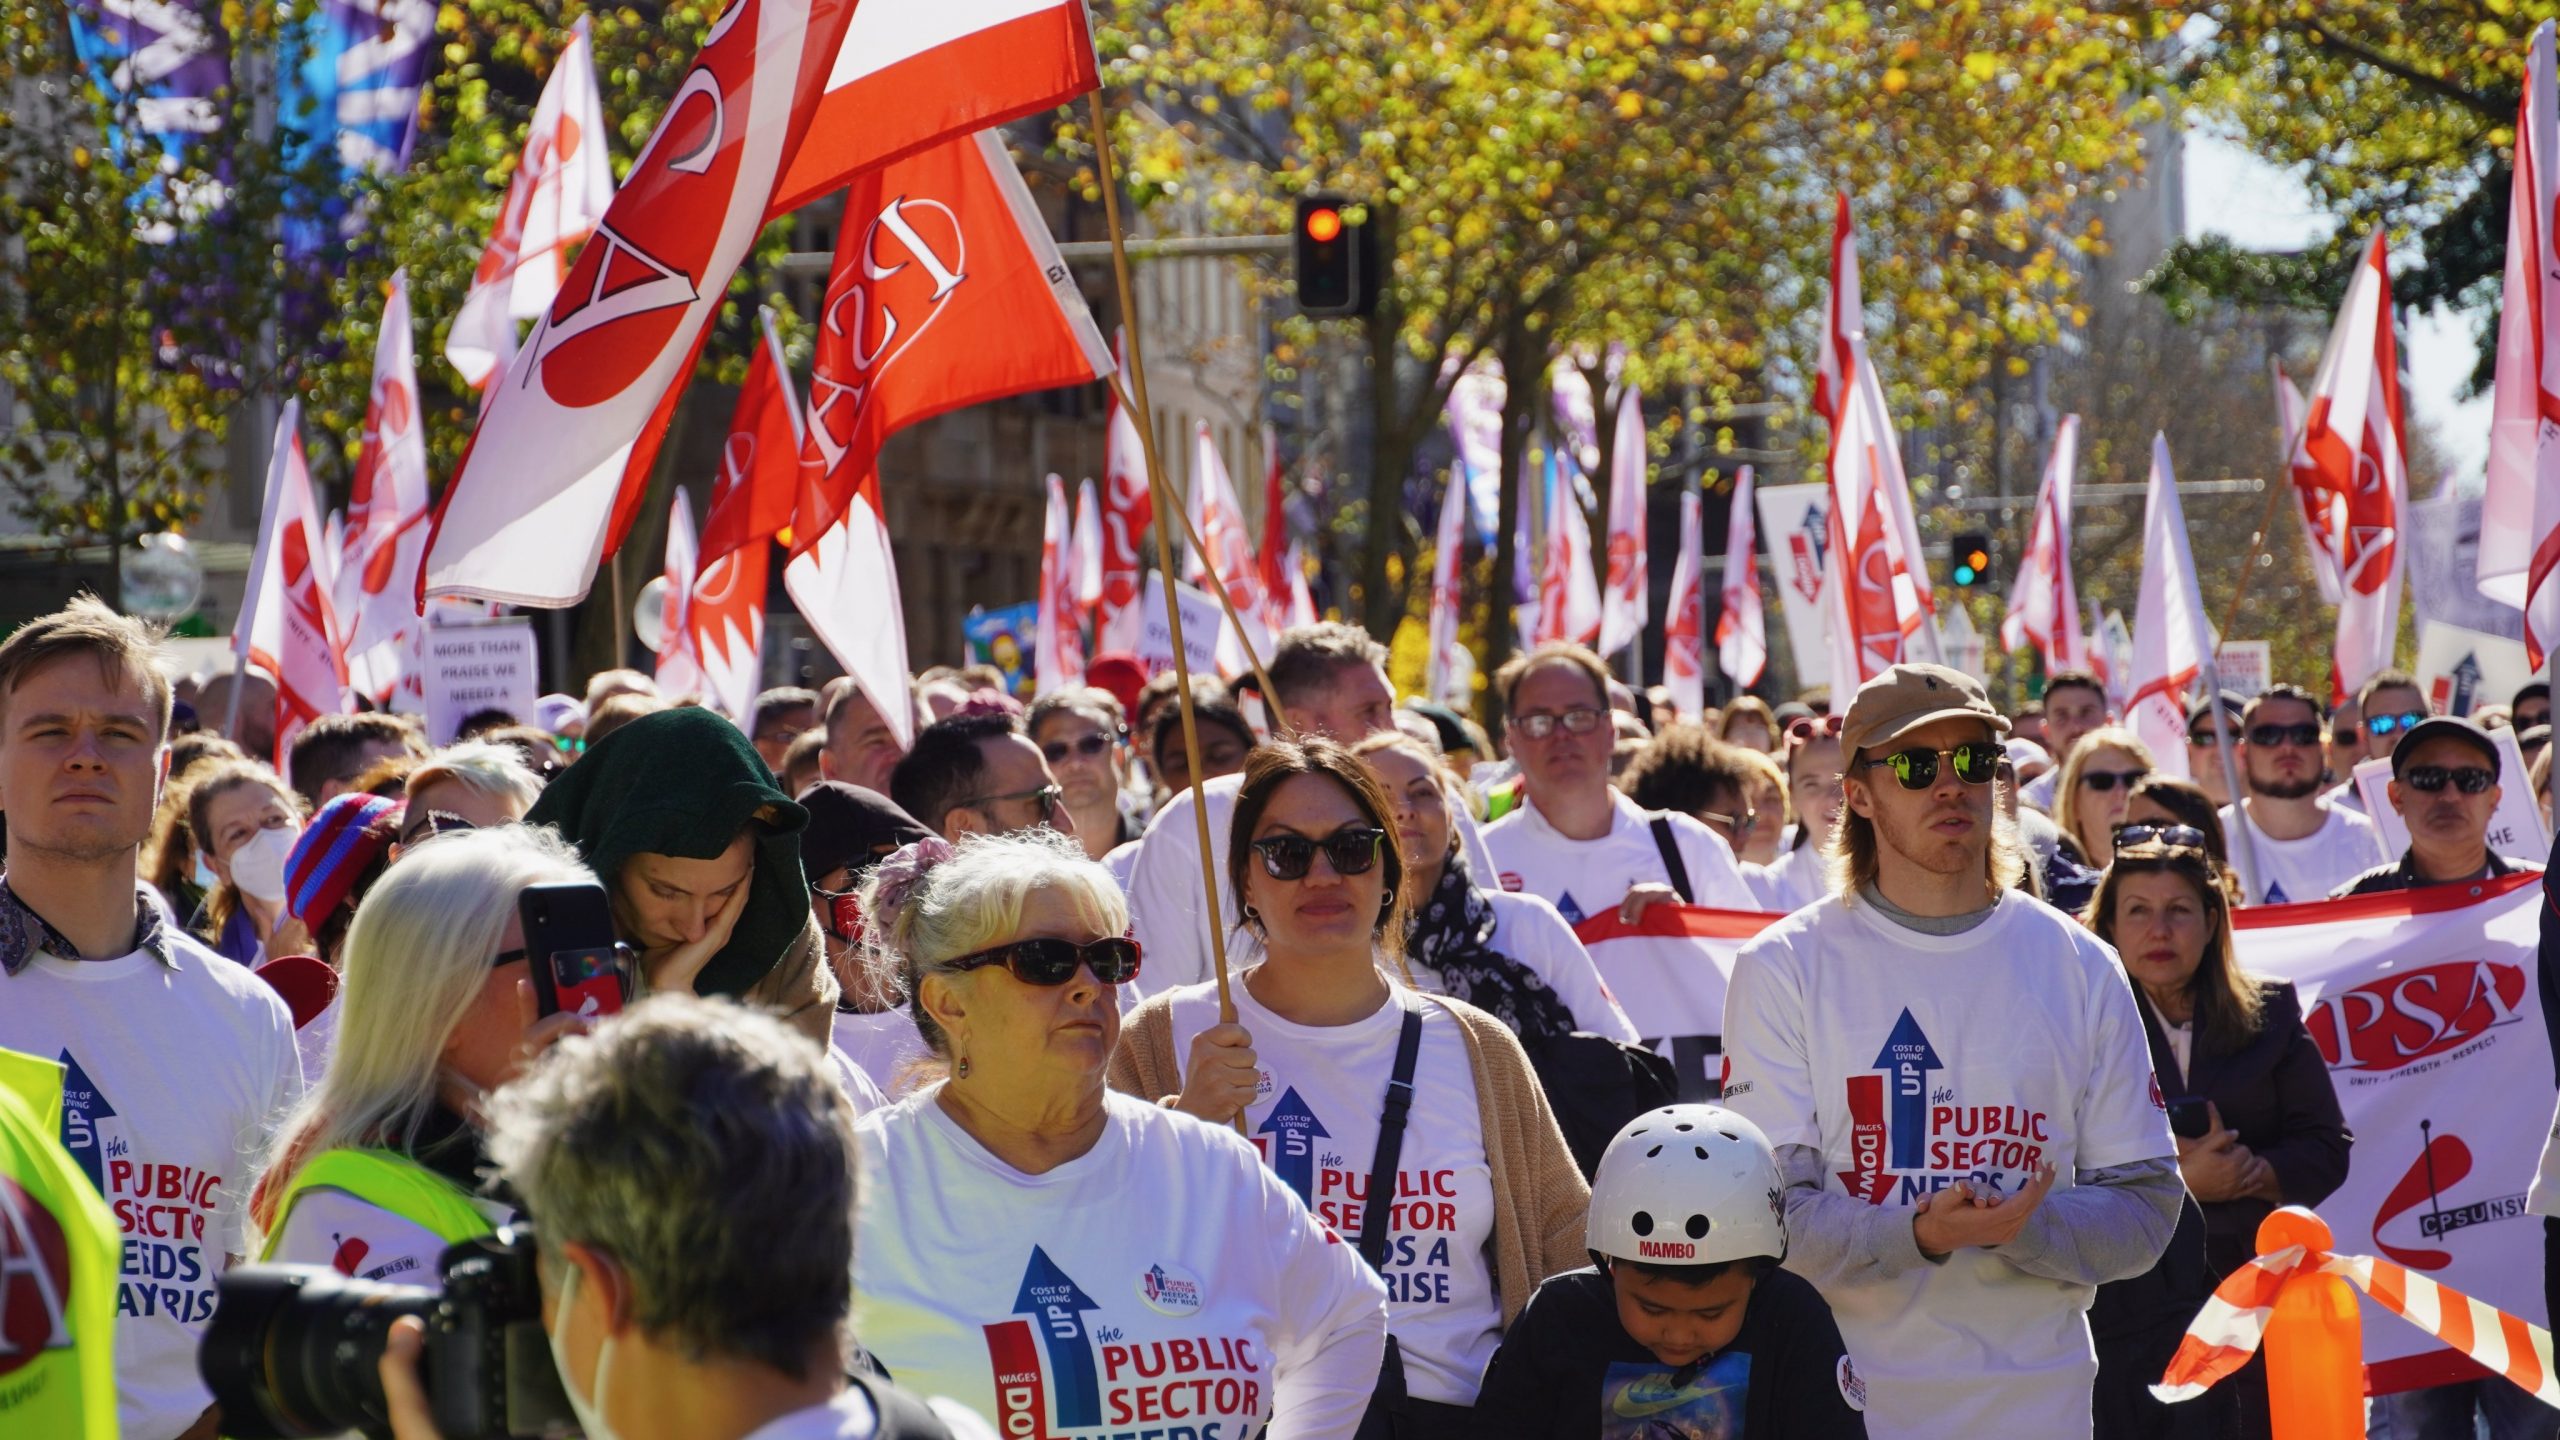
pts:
[60, 1252]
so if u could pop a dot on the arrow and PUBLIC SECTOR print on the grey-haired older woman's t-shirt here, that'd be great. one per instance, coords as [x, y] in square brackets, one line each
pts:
[1061, 1377]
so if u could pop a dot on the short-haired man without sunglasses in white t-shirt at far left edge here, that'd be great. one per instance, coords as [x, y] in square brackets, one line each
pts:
[175, 1060]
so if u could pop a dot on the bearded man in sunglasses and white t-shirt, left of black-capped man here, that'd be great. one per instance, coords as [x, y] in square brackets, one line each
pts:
[2300, 844]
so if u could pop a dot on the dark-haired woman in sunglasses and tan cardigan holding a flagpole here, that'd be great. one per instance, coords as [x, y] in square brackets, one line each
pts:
[1478, 1200]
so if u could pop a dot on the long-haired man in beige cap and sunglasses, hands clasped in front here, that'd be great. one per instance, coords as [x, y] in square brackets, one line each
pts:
[1957, 1085]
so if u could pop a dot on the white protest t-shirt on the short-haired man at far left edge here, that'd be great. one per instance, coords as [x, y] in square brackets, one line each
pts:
[173, 1077]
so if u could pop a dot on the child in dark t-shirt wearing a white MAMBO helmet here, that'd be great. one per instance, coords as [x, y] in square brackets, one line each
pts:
[1683, 1329]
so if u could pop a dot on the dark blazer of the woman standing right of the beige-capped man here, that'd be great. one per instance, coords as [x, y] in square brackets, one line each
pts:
[2280, 1098]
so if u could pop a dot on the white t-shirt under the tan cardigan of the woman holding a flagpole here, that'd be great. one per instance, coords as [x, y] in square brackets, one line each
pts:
[1315, 1118]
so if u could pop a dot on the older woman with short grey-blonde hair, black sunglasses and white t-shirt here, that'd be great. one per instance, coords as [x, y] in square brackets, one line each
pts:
[1020, 1208]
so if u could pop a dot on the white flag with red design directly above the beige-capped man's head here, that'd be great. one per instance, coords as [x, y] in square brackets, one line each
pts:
[1873, 562]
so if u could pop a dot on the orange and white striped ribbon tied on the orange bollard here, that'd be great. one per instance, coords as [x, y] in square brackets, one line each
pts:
[2226, 1334]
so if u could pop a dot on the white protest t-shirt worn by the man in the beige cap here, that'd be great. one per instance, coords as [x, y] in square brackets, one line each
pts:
[1924, 1060]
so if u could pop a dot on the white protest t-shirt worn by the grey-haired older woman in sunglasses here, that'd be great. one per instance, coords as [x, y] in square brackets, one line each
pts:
[1161, 1282]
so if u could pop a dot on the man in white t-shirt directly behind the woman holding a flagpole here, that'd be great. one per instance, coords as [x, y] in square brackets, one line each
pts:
[1332, 683]
